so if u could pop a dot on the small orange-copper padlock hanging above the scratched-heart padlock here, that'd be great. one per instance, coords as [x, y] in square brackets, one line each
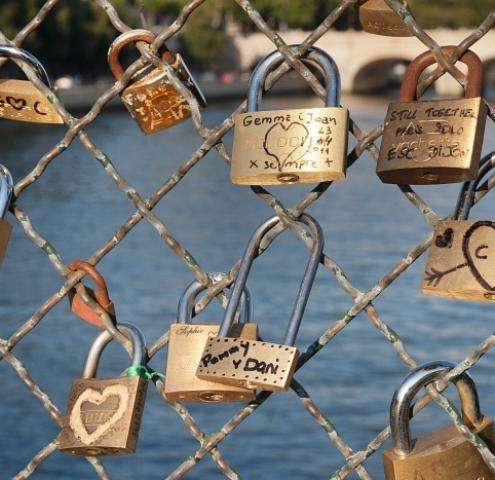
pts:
[100, 296]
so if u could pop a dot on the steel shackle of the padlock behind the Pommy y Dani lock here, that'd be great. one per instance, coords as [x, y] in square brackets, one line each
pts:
[187, 300]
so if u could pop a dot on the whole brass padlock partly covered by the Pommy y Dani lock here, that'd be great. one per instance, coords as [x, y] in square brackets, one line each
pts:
[185, 346]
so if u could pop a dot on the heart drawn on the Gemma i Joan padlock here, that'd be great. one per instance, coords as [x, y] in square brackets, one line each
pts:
[292, 148]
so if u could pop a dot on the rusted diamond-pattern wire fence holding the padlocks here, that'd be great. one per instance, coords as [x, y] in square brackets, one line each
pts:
[353, 461]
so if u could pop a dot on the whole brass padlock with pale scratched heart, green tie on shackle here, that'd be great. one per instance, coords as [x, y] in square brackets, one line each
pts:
[104, 415]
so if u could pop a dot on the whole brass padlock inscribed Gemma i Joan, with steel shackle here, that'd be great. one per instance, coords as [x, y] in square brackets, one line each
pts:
[308, 145]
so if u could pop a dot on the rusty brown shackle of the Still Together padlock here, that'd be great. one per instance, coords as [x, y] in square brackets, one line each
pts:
[474, 87]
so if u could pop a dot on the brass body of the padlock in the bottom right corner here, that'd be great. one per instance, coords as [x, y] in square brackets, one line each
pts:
[442, 455]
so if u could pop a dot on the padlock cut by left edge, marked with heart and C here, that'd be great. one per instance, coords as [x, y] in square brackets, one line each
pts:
[20, 99]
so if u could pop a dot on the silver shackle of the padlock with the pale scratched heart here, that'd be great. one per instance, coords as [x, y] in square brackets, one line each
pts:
[104, 338]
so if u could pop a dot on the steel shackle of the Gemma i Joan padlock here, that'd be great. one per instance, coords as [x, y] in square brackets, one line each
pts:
[274, 59]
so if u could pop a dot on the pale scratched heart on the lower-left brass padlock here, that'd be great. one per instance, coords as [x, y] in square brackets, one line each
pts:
[77, 421]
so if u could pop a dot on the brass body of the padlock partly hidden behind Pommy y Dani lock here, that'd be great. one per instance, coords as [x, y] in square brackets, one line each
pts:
[185, 347]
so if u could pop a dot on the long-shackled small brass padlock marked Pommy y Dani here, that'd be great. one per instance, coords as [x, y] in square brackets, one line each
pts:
[259, 364]
